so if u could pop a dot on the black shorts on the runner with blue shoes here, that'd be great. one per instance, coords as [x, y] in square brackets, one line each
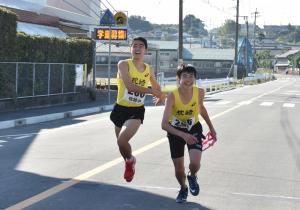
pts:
[177, 144]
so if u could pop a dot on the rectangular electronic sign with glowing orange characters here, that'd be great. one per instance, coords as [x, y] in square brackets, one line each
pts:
[117, 34]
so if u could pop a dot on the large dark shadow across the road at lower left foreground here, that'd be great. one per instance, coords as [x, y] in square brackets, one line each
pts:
[17, 186]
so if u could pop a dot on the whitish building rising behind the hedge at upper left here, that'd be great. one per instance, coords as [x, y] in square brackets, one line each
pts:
[55, 17]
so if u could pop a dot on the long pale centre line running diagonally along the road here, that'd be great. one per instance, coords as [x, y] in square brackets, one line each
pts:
[58, 188]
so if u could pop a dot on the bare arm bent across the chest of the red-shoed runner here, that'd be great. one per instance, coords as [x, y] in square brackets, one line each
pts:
[123, 71]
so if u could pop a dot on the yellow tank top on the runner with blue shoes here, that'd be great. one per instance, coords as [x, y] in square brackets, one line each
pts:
[185, 115]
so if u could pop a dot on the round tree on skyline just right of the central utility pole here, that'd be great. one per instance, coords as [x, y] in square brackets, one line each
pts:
[194, 26]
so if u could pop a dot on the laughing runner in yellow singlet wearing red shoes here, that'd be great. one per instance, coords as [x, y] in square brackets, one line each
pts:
[128, 113]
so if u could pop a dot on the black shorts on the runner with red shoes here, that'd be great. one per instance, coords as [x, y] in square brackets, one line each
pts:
[120, 114]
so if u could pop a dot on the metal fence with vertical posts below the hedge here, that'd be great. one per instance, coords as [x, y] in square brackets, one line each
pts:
[25, 79]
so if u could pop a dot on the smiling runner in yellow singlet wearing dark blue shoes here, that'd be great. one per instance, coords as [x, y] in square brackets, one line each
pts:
[181, 121]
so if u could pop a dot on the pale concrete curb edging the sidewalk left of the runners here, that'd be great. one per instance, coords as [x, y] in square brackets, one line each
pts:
[50, 117]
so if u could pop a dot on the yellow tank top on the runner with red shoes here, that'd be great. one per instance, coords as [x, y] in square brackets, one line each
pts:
[132, 99]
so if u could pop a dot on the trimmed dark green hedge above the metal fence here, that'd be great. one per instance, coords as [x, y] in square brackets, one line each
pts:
[20, 47]
